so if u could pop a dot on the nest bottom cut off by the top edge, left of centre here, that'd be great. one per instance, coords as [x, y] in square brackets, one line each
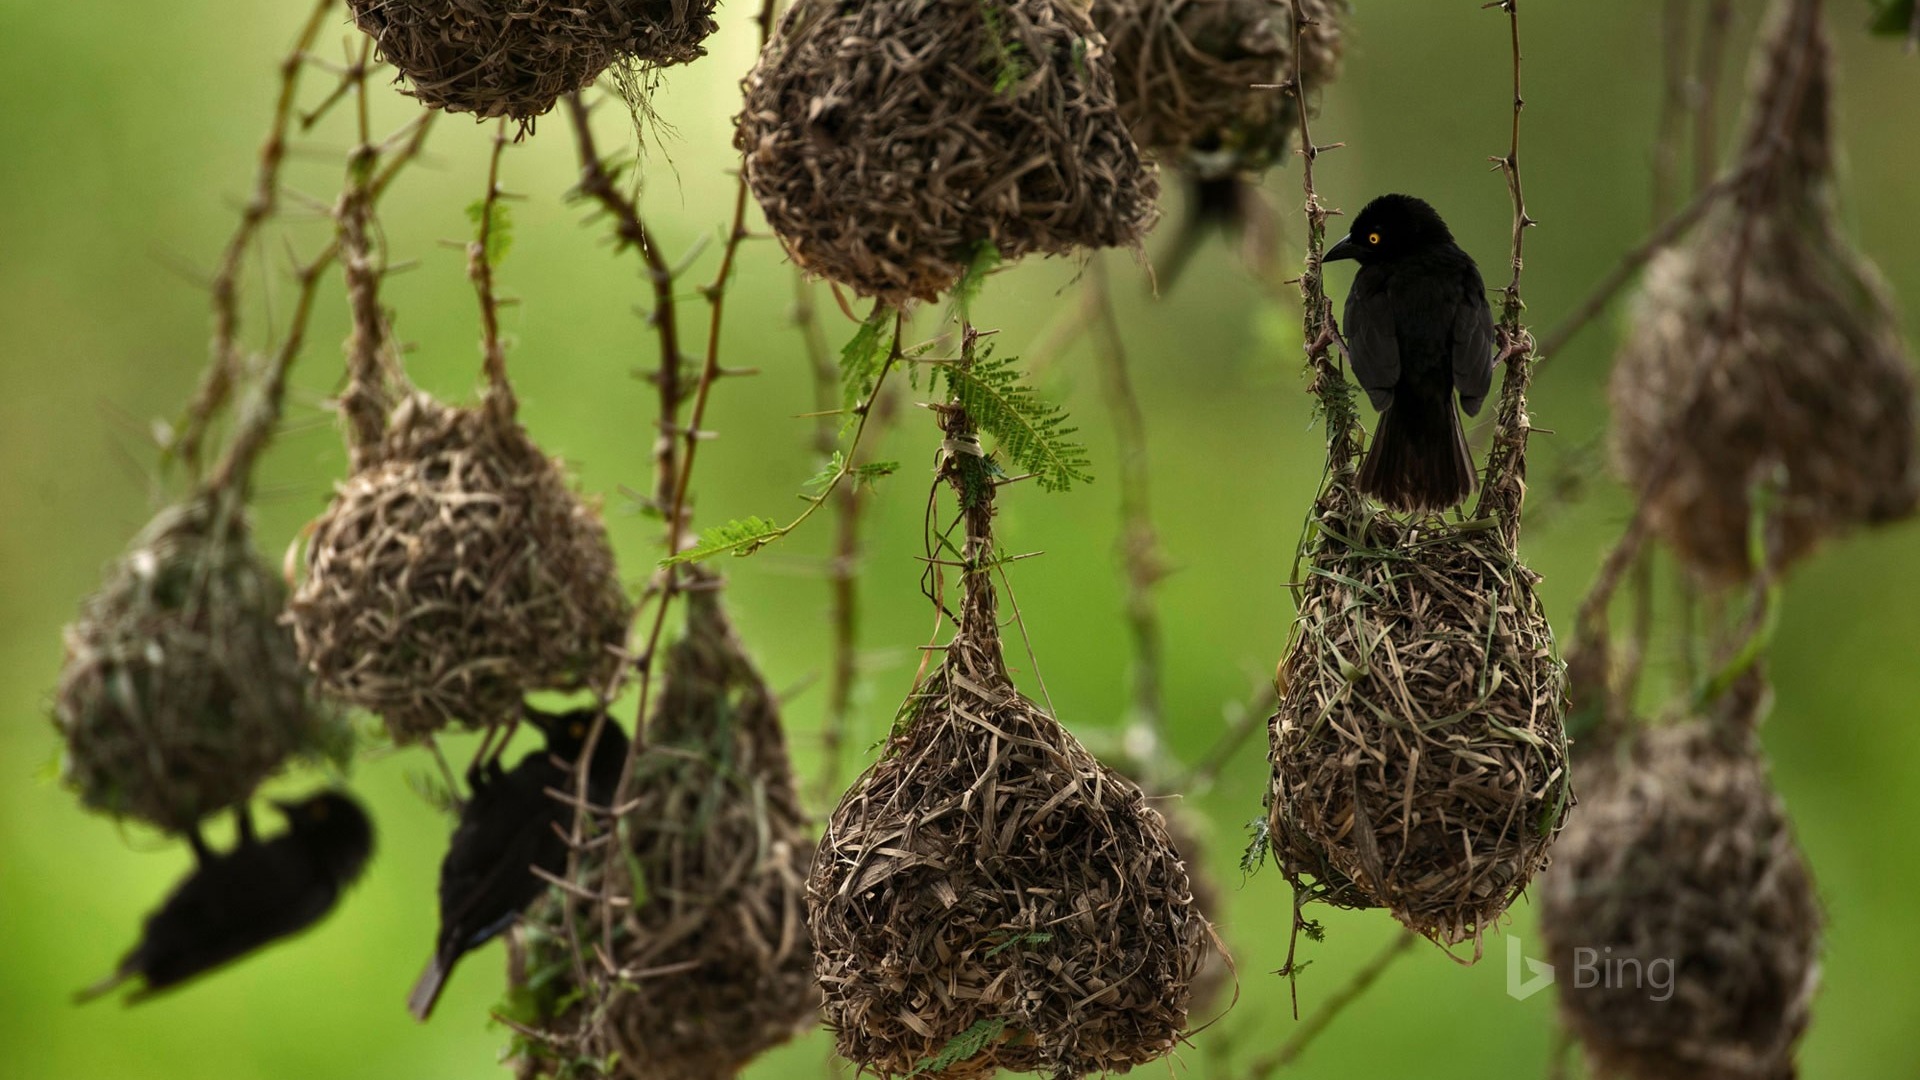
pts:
[514, 59]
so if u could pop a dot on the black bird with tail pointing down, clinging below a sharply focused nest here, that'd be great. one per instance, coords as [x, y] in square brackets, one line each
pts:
[508, 827]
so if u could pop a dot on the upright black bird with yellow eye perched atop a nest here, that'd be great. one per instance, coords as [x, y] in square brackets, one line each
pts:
[1420, 330]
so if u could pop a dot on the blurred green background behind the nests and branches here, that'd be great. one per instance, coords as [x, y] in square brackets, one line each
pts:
[130, 143]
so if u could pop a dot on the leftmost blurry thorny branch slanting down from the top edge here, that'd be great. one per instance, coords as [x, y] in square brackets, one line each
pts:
[226, 362]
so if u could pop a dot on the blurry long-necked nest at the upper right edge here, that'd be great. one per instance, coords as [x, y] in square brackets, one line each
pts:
[1815, 381]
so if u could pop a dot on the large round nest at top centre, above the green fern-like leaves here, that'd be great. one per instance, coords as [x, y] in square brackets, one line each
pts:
[888, 141]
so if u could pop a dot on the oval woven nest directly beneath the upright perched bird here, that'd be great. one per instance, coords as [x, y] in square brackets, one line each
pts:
[1418, 754]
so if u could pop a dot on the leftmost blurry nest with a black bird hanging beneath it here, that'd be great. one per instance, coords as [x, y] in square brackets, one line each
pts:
[181, 691]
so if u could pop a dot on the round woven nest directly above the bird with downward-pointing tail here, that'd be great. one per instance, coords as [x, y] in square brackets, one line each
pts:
[456, 574]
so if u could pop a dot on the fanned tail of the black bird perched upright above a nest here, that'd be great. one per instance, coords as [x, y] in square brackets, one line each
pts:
[1420, 458]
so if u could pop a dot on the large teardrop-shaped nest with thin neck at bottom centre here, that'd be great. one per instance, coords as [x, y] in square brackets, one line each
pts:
[988, 895]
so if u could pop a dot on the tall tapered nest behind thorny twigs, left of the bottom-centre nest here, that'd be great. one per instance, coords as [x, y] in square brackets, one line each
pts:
[715, 958]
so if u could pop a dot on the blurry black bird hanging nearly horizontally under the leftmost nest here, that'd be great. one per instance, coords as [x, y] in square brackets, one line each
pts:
[251, 896]
